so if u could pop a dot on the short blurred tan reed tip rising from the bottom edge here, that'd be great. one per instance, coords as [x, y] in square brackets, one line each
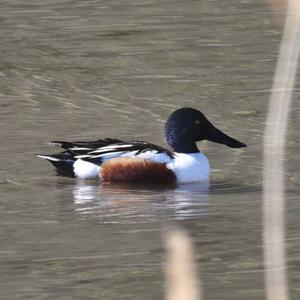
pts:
[180, 268]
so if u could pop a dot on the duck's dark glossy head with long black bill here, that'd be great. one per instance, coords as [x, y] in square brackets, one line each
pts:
[186, 126]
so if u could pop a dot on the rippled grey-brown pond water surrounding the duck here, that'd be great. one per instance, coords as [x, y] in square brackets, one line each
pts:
[76, 70]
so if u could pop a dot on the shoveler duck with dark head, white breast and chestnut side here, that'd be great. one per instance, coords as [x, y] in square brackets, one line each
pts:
[117, 161]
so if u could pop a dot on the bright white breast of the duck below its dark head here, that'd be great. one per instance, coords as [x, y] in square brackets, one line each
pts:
[191, 167]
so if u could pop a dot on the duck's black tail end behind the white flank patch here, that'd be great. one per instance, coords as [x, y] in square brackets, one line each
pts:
[63, 163]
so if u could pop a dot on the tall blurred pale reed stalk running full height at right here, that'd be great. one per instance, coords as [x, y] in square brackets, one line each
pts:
[274, 141]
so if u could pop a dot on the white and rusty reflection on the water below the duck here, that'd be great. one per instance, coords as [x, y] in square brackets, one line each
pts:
[185, 201]
